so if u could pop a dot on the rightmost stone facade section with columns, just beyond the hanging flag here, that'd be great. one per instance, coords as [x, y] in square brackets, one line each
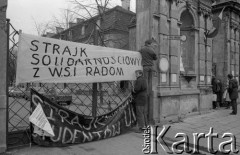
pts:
[226, 43]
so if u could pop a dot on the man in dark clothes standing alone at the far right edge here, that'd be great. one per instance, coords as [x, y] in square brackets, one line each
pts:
[233, 93]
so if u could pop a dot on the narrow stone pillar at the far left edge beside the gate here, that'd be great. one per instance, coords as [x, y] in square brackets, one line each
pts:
[3, 76]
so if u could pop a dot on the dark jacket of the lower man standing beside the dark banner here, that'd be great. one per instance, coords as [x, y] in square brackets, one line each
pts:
[140, 91]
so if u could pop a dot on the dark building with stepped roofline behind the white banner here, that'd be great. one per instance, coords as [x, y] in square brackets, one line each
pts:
[111, 26]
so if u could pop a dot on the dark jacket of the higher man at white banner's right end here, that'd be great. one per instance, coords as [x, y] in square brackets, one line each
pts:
[148, 55]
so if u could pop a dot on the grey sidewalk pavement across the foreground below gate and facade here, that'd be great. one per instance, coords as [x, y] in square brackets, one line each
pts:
[131, 143]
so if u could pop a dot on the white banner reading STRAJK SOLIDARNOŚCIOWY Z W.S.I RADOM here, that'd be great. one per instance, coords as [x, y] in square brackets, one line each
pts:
[48, 60]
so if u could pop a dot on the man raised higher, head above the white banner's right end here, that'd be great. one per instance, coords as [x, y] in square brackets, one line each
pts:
[148, 56]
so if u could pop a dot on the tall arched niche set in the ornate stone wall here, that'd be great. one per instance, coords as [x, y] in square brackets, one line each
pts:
[188, 46]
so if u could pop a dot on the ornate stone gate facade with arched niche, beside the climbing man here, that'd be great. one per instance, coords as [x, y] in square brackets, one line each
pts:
[181, 82]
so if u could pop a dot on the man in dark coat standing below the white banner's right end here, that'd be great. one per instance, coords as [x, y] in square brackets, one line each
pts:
[140, 99]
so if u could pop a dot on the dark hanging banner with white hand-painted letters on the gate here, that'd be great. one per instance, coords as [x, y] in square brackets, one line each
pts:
[72, 128]
